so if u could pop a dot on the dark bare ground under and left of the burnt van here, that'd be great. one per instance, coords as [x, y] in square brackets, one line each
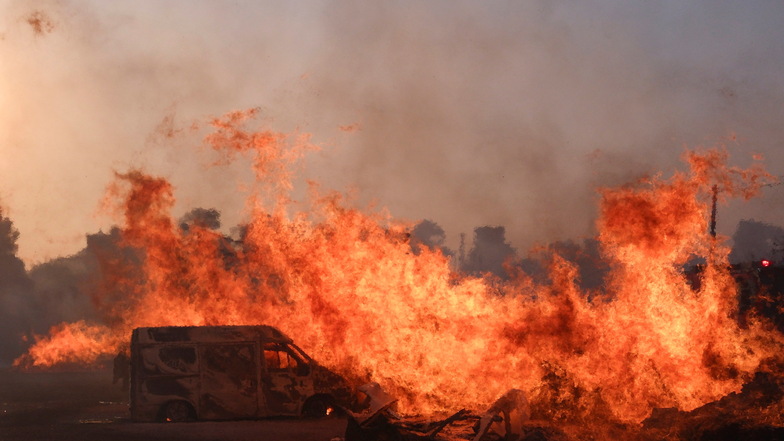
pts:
[86, 406]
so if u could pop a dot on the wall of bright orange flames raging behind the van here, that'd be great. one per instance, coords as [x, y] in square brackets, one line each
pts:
[346, 286]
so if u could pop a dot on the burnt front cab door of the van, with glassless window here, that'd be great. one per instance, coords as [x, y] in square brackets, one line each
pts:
[286, 382]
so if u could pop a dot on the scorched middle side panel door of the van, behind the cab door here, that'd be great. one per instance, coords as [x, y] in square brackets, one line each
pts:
[228, 381]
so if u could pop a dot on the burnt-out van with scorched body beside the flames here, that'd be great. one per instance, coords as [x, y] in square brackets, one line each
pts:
[227, 372]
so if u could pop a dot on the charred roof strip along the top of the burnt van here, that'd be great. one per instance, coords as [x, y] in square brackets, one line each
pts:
[215, 334]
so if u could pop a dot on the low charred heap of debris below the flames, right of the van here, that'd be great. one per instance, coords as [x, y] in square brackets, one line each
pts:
[748, 414]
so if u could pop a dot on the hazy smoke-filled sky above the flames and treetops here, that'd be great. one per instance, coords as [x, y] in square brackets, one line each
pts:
[467, 113]
